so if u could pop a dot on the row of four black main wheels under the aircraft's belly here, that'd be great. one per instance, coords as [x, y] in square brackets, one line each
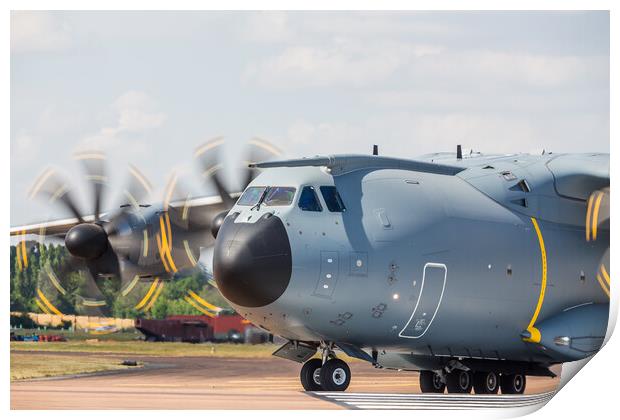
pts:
[460, 381]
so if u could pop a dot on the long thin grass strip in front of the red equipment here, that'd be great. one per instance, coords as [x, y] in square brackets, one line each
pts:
[150, 349]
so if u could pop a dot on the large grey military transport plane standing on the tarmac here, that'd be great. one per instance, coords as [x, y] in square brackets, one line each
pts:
[476, 270]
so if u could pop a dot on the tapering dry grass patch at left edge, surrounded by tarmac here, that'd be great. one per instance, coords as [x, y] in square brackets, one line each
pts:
[28, 366]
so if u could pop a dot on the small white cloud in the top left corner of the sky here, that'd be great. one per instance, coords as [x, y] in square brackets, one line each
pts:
[38, 32]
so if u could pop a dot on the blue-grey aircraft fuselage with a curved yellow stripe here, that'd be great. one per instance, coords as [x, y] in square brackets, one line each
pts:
[422, 265]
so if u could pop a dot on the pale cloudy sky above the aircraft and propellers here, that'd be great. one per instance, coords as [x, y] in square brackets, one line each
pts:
[149, 87]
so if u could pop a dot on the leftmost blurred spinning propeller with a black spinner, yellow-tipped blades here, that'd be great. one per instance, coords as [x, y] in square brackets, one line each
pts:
[95, 245]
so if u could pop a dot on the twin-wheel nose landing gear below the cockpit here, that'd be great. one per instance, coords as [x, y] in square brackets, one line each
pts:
[326, 374]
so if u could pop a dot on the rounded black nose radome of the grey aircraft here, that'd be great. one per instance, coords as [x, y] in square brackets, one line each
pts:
[252, 261]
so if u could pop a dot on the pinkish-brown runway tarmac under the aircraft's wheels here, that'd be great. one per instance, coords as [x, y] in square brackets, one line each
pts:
[221, 383]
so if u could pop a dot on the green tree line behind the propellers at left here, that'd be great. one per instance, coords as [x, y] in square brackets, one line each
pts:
[28, 280]
